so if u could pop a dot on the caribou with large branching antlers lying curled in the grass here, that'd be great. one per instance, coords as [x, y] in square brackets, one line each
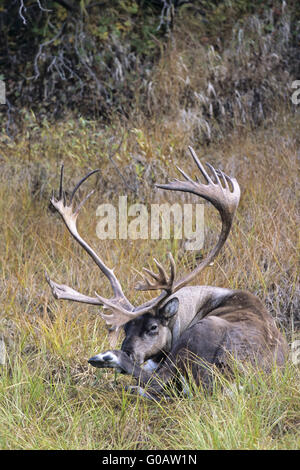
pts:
[186, 328]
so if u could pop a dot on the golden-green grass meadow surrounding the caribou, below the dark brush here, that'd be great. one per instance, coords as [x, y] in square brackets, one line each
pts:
[49, 397]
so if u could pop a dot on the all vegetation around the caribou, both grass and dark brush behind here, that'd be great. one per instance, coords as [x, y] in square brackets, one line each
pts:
[126, 87]
